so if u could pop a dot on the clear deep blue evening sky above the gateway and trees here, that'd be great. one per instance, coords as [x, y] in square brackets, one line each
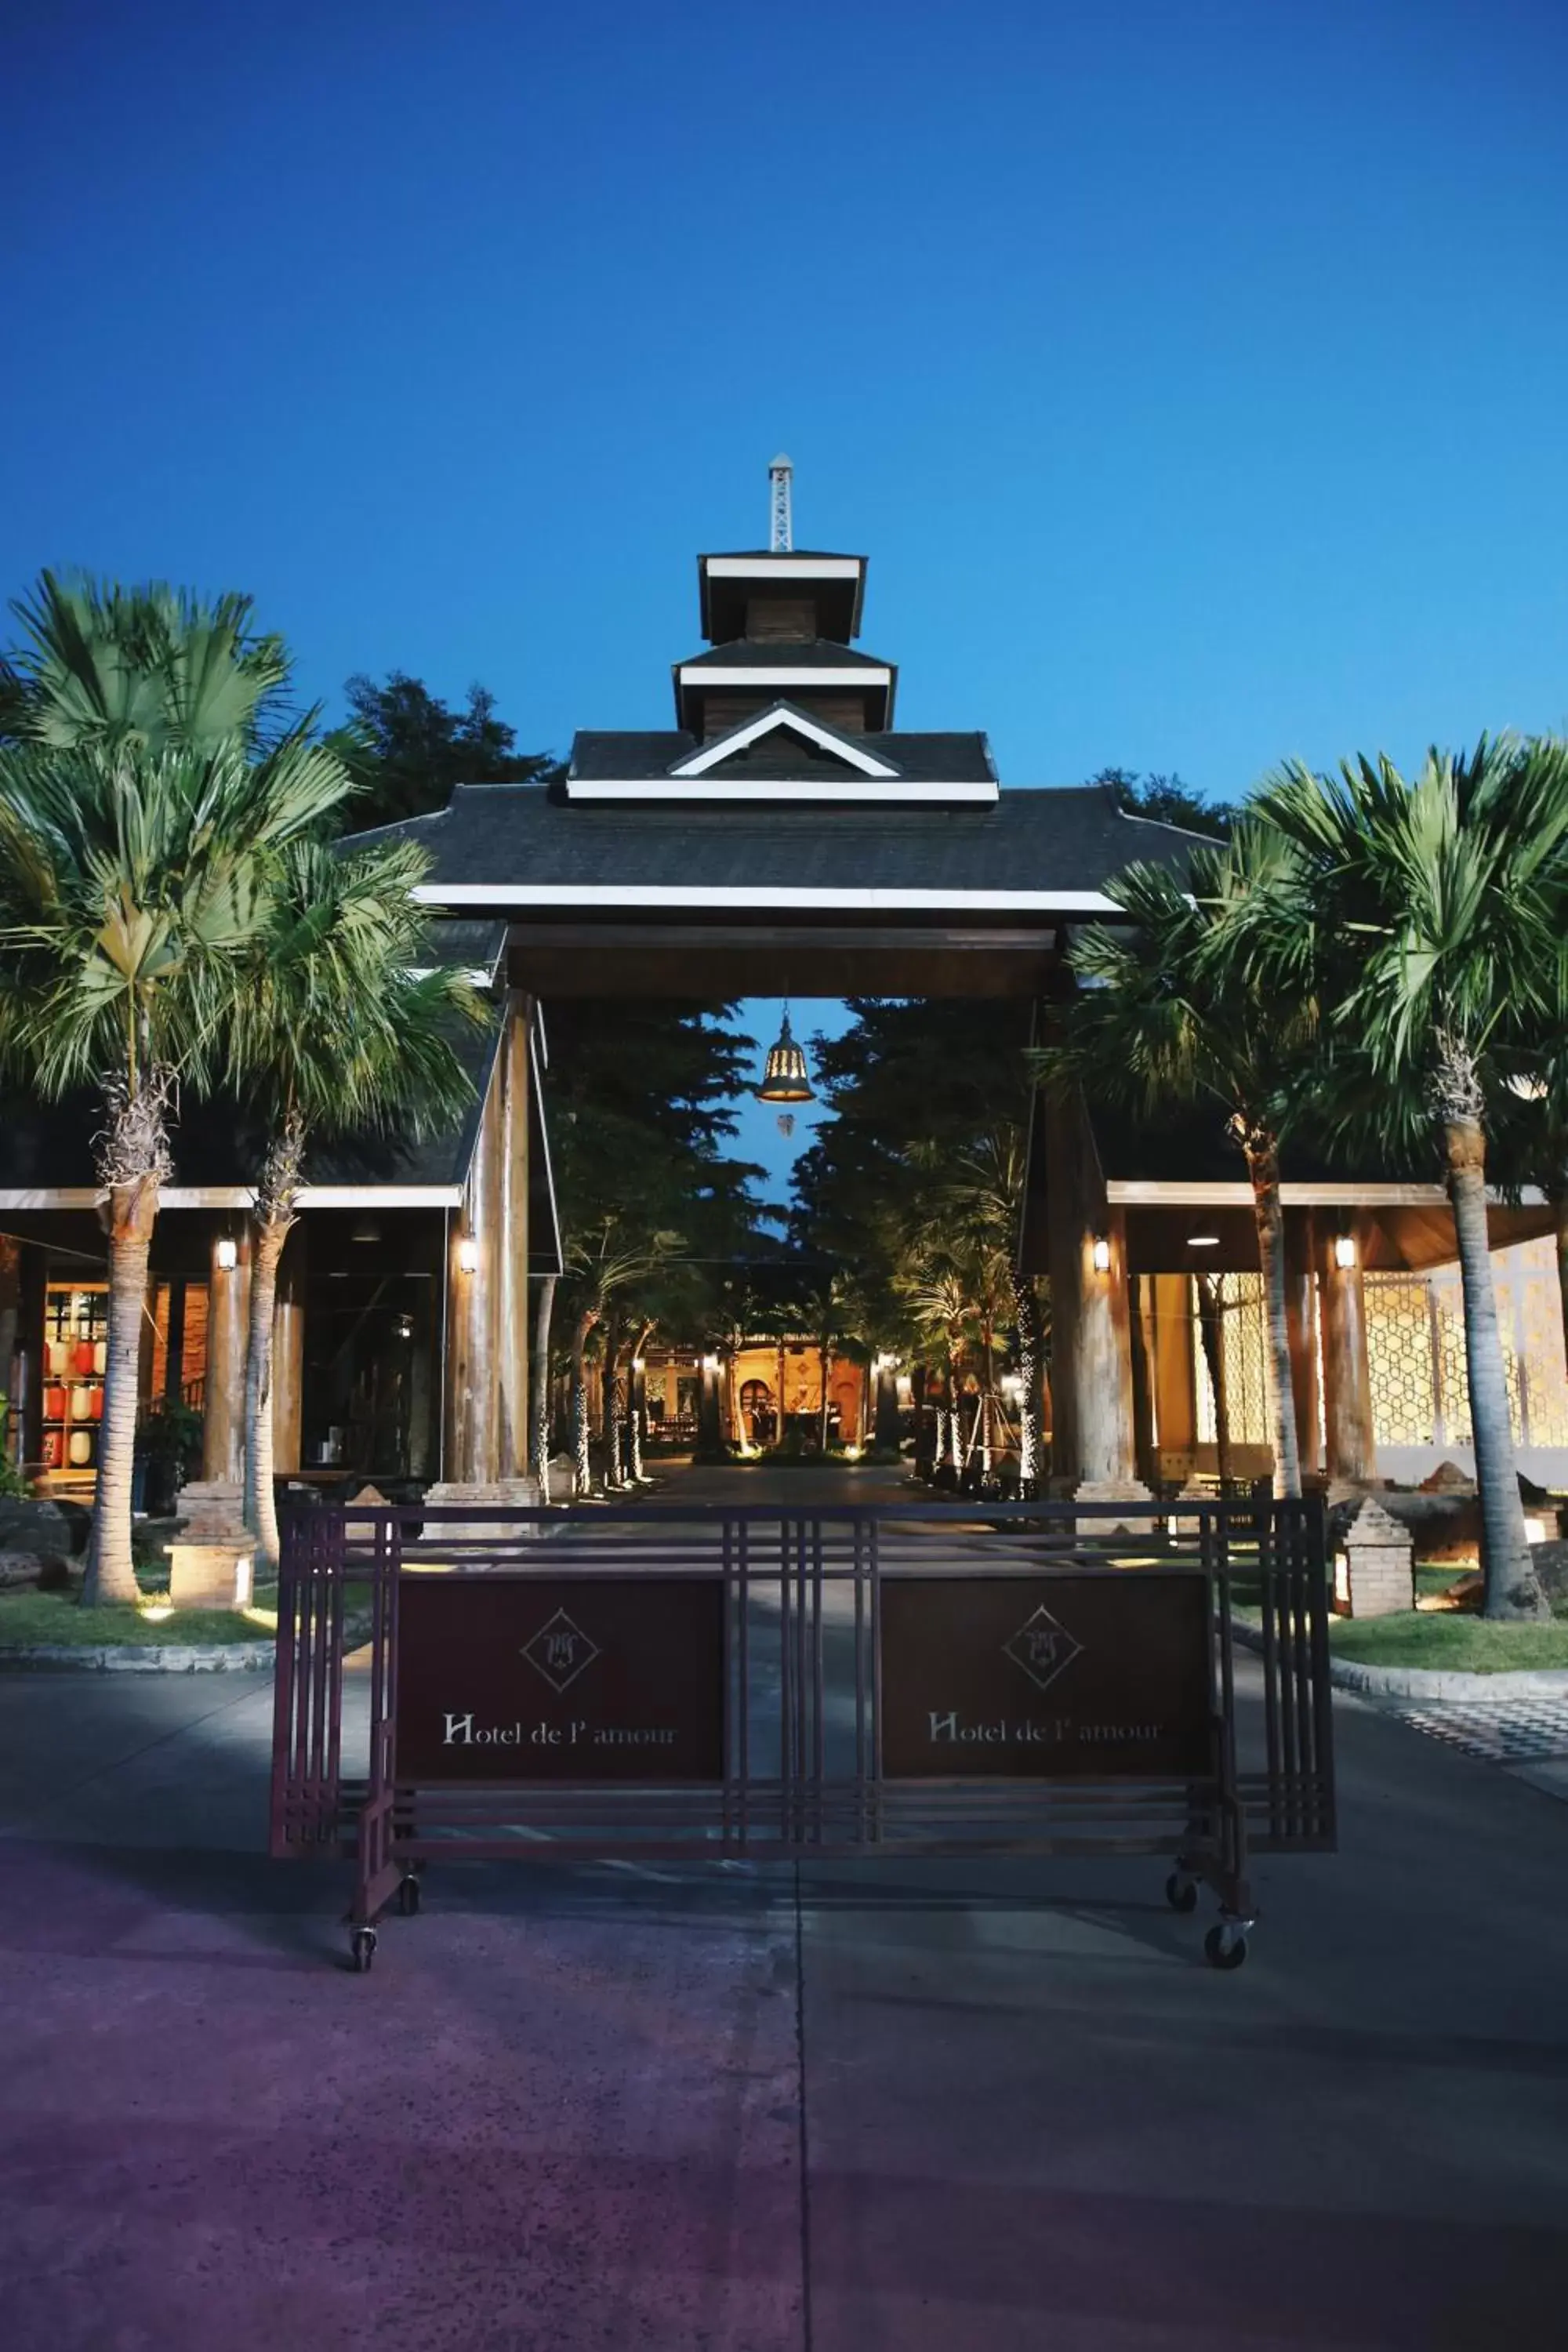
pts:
[1193, 373]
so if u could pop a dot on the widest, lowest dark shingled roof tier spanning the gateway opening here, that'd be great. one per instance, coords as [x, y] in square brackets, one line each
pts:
[516, 834]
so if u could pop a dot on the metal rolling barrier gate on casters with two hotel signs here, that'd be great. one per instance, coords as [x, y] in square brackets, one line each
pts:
[699, 1683]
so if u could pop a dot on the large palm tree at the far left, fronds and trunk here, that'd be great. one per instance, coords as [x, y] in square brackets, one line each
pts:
[133, 888]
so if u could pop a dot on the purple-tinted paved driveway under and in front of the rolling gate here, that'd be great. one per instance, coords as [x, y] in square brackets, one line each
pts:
[843, 2109]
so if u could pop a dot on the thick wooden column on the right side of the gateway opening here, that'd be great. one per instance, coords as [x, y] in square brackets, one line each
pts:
[1092, 1365]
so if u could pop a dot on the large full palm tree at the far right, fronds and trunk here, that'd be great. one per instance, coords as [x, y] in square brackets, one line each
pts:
[1445, 904]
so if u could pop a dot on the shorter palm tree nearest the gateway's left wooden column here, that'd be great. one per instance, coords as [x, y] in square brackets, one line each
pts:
[340, 1029]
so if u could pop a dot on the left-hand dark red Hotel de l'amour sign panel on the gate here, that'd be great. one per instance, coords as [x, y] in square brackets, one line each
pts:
[516, 1678]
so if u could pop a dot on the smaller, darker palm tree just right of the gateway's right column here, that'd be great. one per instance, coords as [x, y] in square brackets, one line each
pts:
[1165, 1015]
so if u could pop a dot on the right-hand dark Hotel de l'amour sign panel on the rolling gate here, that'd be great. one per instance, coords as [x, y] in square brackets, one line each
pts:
[1047, 1678]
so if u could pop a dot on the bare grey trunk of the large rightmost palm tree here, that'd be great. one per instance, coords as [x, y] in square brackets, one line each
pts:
[1506, 1553]
